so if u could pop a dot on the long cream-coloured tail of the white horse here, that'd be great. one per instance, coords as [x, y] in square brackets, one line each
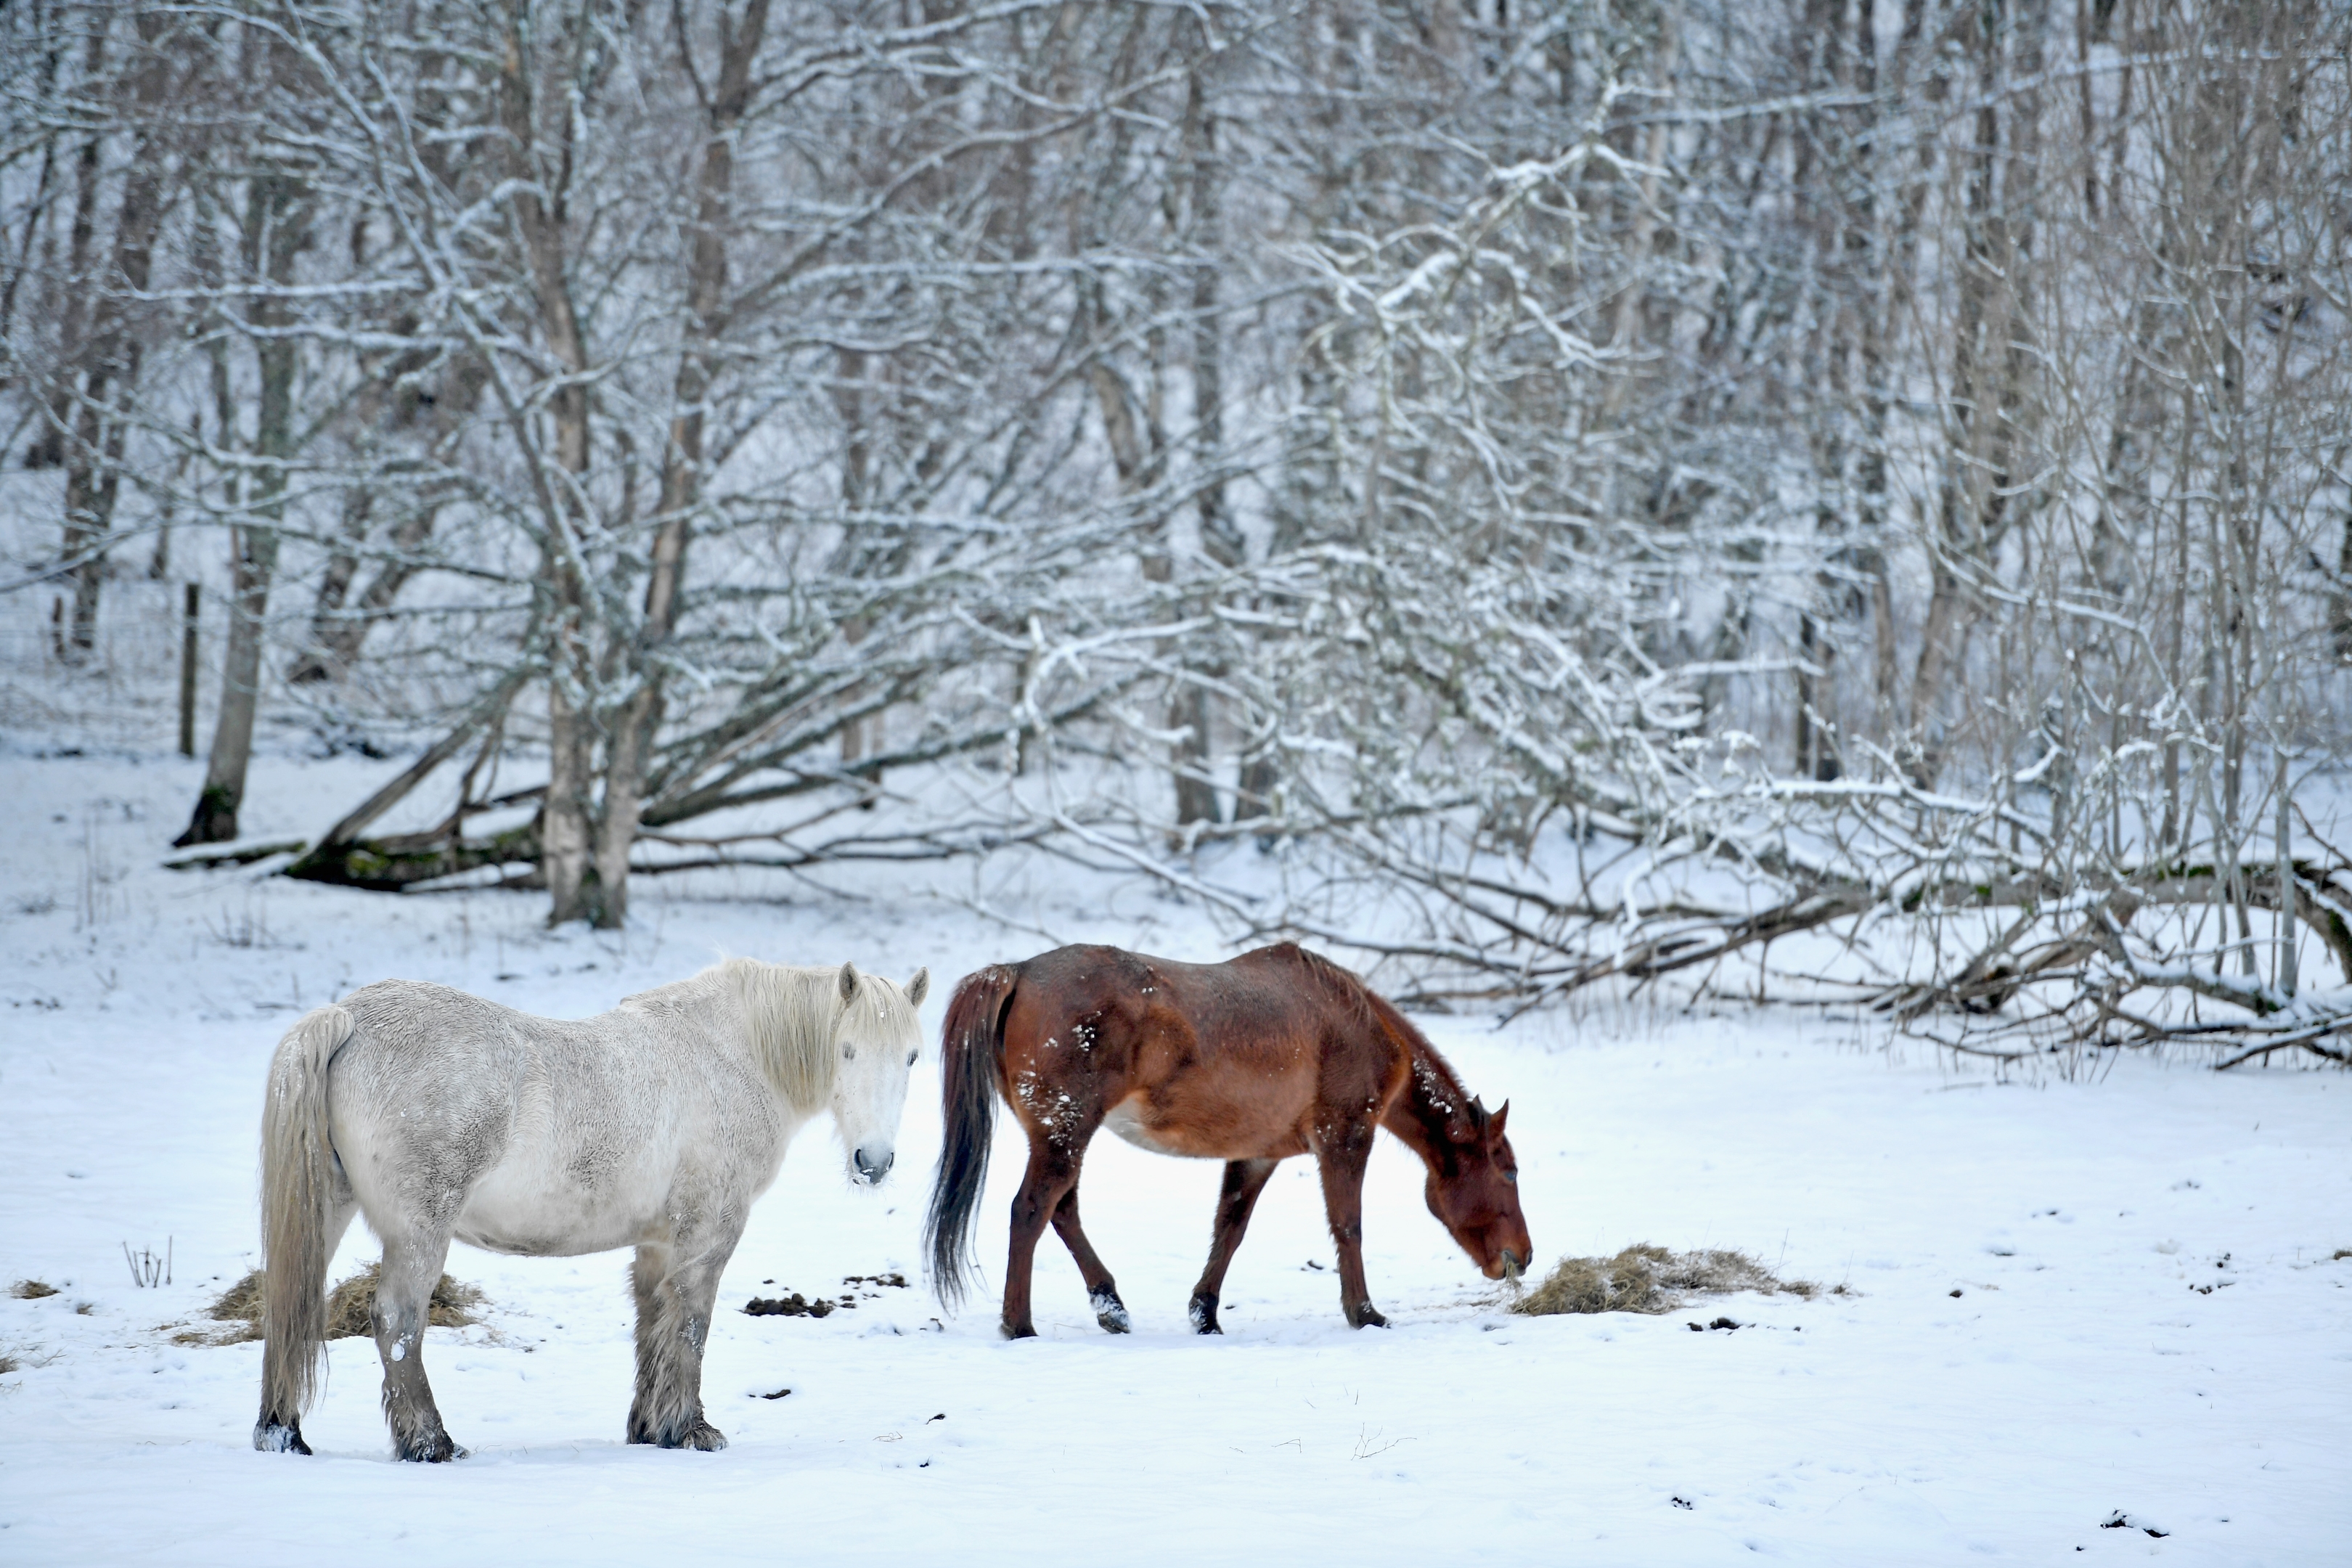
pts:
[298, 1209]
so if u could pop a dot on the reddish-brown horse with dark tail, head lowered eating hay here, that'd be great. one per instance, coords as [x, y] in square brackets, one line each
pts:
[1274, 1054]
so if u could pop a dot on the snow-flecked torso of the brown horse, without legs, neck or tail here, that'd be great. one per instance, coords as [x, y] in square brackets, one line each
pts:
[1215, 1061]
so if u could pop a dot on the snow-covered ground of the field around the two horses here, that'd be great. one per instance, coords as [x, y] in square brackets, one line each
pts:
[2066, 1299]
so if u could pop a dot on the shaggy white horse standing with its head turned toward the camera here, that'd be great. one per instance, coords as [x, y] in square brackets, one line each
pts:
[655, 1125]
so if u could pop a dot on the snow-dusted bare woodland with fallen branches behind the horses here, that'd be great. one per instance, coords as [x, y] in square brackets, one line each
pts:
[1826, 500]
